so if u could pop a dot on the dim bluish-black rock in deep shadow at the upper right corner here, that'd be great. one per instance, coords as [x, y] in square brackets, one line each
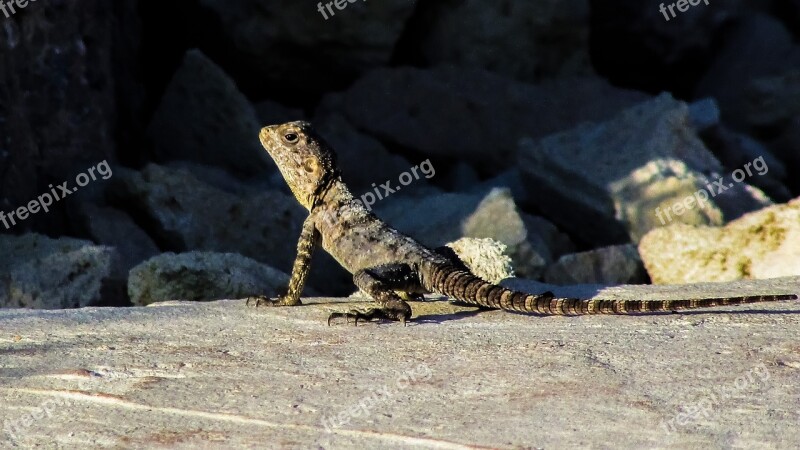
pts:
[759, 46]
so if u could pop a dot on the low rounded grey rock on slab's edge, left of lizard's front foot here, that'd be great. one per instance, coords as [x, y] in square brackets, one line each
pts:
[202, 276]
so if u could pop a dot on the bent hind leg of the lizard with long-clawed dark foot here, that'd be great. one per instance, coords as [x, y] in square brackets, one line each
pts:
[381, 283]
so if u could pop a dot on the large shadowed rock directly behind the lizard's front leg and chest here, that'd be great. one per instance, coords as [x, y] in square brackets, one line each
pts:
[187, 214]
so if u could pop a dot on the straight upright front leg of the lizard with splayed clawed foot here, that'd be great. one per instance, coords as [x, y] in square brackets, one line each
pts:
[308, 242]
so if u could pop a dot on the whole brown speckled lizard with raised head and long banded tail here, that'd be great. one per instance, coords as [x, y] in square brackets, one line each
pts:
[392, 267]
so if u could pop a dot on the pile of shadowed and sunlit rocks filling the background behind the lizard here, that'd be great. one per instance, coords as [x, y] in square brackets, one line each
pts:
[562, 129]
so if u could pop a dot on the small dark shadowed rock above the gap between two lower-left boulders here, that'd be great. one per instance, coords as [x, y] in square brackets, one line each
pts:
[114, 228]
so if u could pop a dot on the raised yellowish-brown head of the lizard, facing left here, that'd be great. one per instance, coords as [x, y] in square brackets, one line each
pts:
[305, 160]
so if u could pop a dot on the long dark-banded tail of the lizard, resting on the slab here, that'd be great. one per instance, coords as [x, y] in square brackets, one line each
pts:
[466, 287]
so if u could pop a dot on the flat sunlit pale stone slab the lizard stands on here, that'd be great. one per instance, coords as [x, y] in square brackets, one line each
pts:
[220, 375]
